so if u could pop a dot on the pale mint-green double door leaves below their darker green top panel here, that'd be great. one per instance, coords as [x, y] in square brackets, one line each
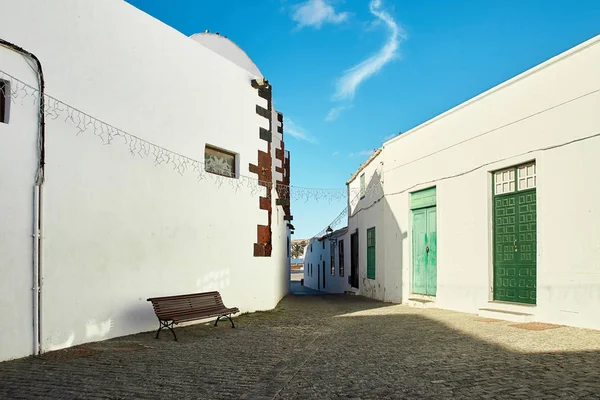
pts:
[424, 229]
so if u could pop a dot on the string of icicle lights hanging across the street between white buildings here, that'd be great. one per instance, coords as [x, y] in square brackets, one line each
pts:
[55, 109]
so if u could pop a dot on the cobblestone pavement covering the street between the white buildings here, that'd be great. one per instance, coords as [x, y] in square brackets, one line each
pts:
[324, 347]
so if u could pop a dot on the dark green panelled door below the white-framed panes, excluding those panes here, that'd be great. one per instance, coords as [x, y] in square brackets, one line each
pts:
[515, 244]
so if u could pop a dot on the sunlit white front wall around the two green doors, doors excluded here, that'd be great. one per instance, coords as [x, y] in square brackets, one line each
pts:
[552, 104]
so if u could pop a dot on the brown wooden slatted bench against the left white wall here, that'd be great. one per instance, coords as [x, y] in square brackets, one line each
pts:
[171, 310]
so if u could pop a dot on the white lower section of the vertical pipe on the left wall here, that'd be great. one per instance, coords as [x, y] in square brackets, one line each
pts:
[37, 268]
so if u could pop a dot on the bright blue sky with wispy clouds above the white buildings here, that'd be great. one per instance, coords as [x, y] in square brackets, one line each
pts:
[347, 74]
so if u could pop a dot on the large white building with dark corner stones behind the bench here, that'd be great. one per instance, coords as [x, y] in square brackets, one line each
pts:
[109, 202]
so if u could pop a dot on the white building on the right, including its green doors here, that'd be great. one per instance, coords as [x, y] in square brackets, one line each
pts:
[492, 207]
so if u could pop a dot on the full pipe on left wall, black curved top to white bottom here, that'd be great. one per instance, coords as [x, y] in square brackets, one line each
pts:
[37, 201]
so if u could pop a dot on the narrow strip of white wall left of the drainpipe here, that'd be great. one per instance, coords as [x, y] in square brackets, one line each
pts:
[18, 165]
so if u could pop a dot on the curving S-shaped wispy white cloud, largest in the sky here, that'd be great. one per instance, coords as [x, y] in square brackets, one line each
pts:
[353, 77]
